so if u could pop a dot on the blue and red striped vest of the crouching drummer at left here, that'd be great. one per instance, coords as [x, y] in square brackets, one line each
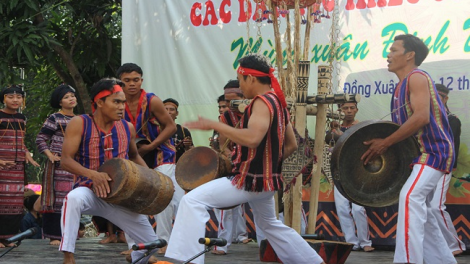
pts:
[97, 146]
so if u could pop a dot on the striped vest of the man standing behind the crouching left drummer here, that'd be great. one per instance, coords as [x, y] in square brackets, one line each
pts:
[148, 127]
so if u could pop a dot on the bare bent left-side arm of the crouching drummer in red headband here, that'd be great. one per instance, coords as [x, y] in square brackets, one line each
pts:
[72, 139]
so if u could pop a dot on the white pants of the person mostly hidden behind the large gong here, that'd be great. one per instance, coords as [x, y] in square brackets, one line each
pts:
[351, 217]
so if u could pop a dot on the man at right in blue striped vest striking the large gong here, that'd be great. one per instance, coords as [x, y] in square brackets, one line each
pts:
[419, 111]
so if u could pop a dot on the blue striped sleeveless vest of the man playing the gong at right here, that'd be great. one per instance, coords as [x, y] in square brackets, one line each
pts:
[435, 139]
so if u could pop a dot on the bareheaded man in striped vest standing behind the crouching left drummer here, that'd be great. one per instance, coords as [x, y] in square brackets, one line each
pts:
[153, 123]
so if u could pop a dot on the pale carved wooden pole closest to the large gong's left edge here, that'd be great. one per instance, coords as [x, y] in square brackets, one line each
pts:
[324, 75]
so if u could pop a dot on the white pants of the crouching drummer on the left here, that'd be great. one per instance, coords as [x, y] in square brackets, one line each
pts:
[82, 200]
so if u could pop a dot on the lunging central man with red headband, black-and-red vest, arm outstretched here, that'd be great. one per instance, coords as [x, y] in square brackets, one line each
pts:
[263, 140]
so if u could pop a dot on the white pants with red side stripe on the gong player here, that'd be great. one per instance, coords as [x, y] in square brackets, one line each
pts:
[418, 238]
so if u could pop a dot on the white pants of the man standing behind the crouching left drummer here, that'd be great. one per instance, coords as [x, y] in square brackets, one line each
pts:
[165, 218]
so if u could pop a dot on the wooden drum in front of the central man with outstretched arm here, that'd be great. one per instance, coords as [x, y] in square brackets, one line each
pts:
[200, 165]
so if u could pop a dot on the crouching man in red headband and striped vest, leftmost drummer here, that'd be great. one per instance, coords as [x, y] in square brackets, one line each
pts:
[89, 141]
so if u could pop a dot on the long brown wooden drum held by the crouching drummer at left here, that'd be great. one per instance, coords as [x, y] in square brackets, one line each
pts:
[137, 188]
